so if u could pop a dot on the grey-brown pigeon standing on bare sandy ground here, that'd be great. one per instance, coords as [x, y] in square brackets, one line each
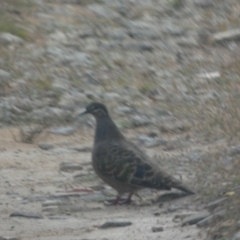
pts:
[122, 164]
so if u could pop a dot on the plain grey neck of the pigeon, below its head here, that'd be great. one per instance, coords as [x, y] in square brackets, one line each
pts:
[106, 129]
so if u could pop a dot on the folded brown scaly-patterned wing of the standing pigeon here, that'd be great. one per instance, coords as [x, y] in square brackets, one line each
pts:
[124, 164]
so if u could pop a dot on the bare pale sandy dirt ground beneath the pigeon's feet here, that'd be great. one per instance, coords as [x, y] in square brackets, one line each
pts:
[31, 182]
